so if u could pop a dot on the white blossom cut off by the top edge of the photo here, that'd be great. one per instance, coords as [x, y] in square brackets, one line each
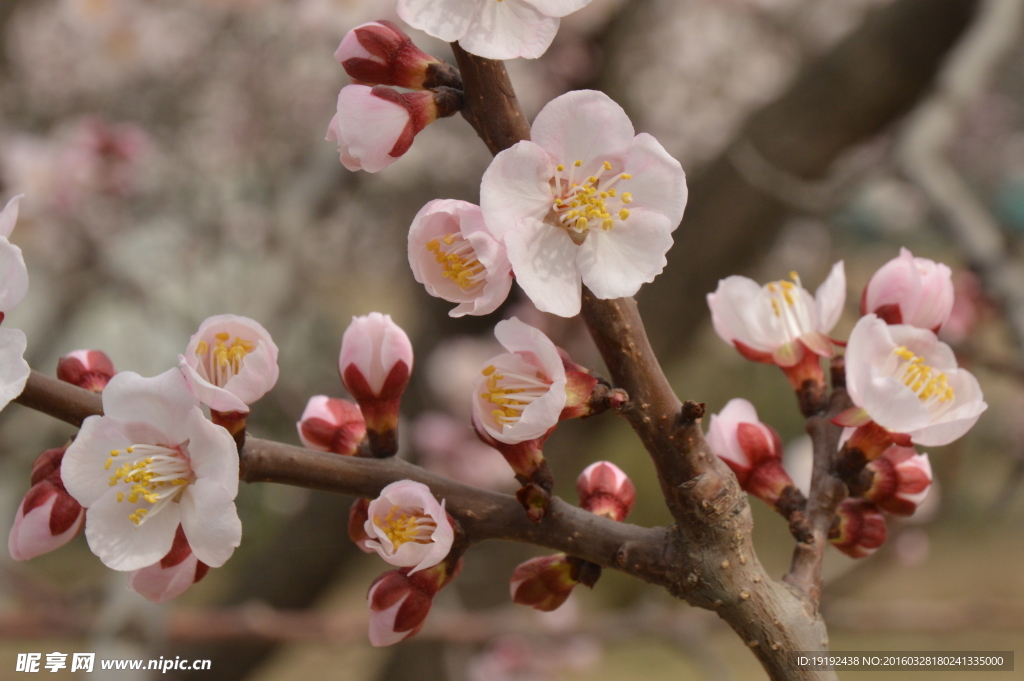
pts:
[502, 30]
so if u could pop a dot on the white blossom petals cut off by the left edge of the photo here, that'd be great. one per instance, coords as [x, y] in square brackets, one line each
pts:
[14, 287]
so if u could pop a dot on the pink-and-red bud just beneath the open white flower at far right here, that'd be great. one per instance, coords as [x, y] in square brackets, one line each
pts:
[902, 481]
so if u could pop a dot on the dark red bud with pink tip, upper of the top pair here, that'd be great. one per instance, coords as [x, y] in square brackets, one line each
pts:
[379, 54]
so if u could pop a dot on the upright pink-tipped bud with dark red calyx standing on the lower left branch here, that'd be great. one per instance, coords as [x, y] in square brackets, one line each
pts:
[375, 364]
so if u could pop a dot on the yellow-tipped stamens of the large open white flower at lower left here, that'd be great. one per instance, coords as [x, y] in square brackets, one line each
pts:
[157, 476]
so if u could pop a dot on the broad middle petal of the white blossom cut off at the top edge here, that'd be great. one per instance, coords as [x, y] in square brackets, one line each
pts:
[508, 30]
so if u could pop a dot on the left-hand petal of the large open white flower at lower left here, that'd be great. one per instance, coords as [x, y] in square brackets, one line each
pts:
[82, 469]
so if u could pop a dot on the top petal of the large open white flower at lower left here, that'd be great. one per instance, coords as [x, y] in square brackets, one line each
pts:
[160, 404]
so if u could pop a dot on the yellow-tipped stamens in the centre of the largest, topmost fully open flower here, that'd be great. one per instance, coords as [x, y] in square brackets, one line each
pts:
[582, 204]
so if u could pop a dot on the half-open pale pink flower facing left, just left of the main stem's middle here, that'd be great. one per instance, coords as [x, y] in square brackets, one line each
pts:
[520, 396]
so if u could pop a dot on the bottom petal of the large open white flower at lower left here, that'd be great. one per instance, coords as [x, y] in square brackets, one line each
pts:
[120, 543]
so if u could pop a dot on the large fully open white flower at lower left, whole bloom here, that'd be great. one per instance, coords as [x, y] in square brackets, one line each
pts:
[152, 462]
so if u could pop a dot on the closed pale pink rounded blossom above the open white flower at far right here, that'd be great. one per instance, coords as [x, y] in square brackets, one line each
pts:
[910, 290]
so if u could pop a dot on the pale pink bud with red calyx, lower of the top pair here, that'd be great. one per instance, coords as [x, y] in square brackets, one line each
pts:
[374, 127]
